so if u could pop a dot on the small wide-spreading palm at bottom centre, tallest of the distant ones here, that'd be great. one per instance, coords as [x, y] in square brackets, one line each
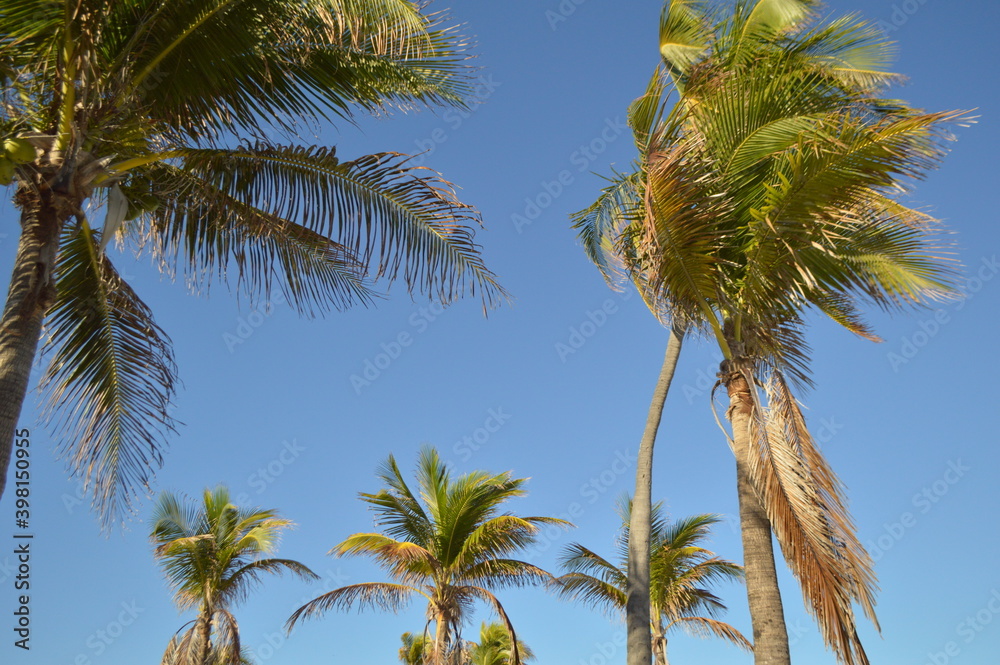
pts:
[451, 546]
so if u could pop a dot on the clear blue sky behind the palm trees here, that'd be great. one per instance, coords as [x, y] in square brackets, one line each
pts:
[914, 439]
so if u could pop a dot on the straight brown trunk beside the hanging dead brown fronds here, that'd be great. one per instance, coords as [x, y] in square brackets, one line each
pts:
[770, 637]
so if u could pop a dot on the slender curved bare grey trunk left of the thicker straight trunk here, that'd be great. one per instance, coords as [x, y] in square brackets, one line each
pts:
[639, 643]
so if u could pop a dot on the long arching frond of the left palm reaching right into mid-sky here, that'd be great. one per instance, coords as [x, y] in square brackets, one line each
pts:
[395, 219]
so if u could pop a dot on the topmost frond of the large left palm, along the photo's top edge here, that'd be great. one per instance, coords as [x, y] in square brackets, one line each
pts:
[262, 61]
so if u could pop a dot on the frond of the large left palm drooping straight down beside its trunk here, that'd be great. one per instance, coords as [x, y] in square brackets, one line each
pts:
[111, 378]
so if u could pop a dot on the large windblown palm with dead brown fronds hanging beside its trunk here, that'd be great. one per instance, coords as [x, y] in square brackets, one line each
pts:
[769, 188]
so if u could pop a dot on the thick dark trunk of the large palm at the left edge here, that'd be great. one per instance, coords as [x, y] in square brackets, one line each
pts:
[32, 290]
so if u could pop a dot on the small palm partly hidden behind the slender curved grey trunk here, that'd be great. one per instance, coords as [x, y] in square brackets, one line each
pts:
[680, 573]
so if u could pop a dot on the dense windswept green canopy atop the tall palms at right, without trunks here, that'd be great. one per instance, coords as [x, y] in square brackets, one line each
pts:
[771, 184]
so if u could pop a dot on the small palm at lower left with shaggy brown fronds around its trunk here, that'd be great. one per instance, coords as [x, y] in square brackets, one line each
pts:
[213, 555]
